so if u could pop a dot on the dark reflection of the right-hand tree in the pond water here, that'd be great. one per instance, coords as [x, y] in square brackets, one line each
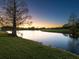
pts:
[73, 45]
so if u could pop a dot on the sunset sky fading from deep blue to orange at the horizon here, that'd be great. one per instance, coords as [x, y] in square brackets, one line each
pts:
[51, 13]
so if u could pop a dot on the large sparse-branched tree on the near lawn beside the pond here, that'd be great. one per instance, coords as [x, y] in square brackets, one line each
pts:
[15, 13]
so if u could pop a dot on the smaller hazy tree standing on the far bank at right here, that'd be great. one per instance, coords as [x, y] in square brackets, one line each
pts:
[73, 24]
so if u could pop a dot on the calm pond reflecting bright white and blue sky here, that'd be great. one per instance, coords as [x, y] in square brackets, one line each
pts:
[55, 40]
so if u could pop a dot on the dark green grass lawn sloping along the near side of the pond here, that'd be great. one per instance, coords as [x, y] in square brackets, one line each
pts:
[18, 48]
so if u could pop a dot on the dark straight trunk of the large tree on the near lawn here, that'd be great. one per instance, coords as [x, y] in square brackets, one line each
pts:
[14, 20]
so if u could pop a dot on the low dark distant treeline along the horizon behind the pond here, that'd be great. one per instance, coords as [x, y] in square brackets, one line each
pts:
[33, 28]
